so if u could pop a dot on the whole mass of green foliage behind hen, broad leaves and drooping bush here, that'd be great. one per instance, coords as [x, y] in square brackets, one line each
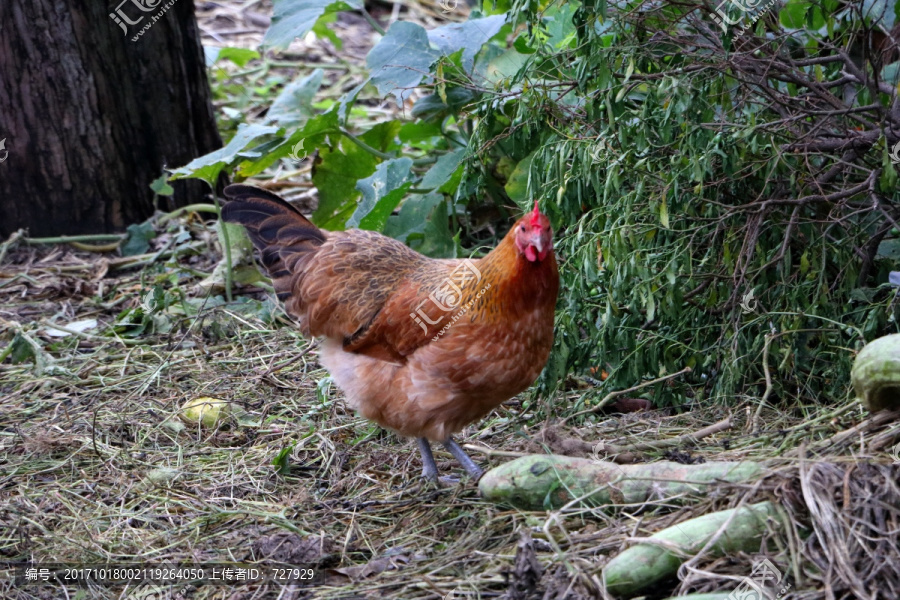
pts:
[722, 178]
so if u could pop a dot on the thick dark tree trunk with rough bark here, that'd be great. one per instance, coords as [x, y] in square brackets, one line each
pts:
[96, 98]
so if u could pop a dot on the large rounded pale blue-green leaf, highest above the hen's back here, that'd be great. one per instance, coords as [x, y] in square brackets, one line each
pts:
[401, 60]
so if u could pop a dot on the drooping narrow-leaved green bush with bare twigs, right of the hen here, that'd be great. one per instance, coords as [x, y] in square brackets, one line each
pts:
[719, 187]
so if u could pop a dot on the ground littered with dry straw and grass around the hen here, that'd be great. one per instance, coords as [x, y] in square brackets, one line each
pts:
[97, 467]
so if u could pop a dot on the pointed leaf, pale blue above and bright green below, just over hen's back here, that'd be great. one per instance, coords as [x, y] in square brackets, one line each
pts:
[381, 193]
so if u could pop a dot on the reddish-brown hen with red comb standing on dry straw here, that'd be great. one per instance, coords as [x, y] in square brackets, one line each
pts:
[421, 346]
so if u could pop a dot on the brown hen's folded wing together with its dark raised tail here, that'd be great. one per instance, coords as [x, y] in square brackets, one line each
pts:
[357, 286]
